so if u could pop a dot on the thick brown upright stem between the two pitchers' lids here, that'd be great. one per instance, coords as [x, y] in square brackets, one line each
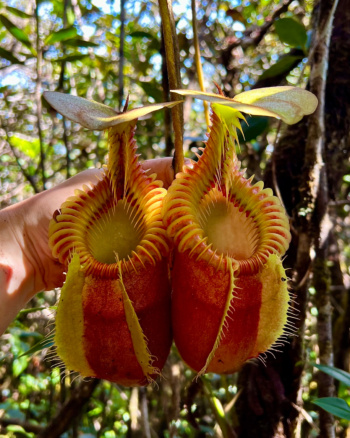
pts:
[173, 63]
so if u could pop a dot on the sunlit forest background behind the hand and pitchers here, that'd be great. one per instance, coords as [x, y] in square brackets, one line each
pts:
[105, 50]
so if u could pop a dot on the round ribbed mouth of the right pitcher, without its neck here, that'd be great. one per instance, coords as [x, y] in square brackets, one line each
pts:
[243, 229]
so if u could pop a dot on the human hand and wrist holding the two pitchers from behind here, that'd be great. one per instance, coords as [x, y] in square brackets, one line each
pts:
[26, 263]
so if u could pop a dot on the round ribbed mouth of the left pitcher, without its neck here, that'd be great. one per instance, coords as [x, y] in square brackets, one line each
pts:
[104, 231]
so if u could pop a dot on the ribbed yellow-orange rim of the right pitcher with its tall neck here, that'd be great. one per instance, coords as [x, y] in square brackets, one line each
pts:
[217, 180]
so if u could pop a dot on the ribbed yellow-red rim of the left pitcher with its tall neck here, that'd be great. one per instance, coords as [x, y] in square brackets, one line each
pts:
[87, 221]
